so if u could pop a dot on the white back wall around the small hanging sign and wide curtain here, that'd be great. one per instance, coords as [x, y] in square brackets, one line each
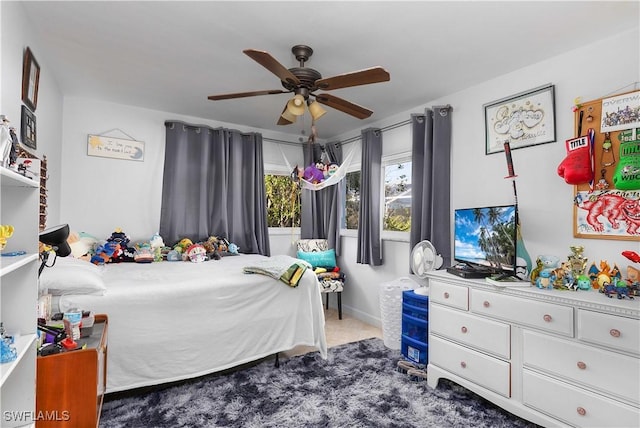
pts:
[100, 194]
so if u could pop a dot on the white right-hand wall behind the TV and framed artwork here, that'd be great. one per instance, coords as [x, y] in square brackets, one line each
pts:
[545, 200]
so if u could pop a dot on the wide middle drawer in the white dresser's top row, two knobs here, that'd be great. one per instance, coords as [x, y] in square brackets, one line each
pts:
[541, 315]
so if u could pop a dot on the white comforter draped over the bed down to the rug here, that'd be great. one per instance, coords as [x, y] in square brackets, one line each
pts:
[176, 320]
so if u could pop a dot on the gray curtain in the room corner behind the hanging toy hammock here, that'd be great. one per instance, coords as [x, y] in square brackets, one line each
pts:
[321, 209]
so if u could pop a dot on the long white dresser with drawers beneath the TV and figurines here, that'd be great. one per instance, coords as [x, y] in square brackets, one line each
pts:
[556, 358]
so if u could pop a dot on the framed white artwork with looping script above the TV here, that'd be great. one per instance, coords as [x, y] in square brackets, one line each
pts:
[525, 119]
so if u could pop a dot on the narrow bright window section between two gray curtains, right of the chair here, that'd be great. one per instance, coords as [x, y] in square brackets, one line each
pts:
[397, 196]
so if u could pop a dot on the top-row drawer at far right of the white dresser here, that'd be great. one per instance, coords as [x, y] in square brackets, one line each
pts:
[611, 331]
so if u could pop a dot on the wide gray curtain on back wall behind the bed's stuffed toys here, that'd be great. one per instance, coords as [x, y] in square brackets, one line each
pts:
[213, 184]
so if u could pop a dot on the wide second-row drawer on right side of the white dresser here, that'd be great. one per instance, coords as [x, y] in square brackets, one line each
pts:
[614, 374]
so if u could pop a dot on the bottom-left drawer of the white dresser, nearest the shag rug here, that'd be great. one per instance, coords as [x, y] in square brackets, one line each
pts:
[479, 368]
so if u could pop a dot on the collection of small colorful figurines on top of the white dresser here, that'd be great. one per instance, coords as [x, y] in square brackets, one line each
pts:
[572, 274]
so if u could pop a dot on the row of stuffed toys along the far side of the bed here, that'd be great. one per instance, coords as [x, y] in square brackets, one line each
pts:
[118, 248]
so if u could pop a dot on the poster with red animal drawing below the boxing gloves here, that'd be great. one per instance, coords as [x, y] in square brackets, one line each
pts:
[607, 214]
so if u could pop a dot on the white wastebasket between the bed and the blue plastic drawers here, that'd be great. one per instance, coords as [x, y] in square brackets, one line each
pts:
[391, 309]
